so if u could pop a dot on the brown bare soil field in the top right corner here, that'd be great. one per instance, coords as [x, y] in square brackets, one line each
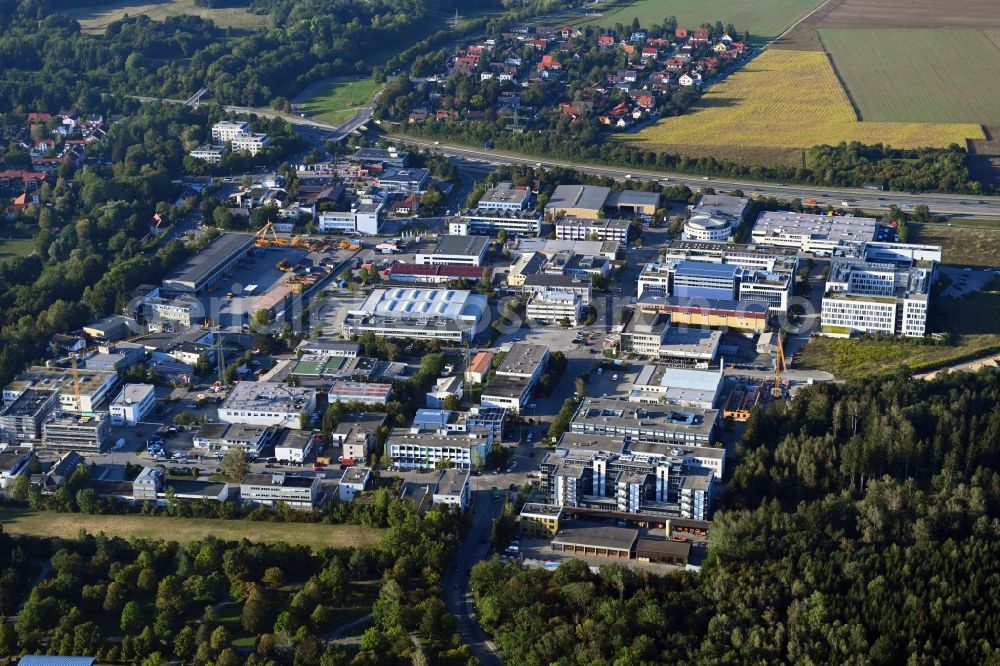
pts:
[908, 14]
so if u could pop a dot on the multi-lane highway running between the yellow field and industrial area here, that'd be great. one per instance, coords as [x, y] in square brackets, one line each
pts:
[956, 205]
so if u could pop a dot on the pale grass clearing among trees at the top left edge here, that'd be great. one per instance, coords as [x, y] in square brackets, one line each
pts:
[95, 18]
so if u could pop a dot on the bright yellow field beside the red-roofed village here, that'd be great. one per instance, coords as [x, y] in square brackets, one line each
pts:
[789, 99]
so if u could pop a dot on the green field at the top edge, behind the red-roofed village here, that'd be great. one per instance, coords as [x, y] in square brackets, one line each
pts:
[761, 18]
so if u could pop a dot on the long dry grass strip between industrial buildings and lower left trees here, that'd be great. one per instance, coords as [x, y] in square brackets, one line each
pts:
[68, 525]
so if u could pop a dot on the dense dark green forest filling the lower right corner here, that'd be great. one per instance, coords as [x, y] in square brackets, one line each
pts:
[860, 527]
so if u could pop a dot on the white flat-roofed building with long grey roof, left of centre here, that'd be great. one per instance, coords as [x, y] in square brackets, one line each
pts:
[267, 403]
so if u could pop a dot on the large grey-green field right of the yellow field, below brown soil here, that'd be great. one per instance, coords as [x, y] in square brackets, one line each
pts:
[921, 75]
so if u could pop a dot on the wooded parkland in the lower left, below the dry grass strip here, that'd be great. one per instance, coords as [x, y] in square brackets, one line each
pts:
[212, 602]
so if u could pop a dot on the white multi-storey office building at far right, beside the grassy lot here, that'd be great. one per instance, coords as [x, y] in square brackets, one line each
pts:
[867, 297]
